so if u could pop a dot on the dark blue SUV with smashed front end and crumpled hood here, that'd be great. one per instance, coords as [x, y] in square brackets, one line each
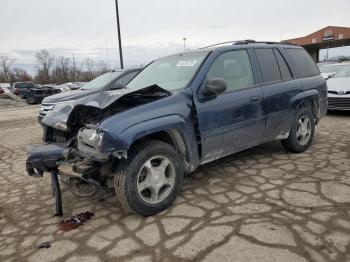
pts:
[180, 112]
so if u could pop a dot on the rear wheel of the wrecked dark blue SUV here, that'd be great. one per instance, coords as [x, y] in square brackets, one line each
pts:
[295, 142]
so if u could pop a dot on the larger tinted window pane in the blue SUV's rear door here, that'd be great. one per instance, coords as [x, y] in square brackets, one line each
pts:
[268, 64]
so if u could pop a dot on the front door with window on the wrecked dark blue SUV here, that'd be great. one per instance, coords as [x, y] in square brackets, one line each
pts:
[234, 119]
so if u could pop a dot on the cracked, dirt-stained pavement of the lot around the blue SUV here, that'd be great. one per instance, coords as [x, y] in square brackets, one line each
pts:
[263, 204]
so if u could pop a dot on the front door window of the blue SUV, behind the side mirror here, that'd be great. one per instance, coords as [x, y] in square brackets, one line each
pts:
[235, 68]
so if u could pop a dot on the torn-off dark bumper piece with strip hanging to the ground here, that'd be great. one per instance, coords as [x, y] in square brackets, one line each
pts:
[45, 158]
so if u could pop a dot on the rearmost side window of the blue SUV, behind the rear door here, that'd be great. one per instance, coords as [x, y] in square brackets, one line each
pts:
[303, 62]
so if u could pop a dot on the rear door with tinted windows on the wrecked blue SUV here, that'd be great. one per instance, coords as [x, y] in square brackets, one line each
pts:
[278, 87]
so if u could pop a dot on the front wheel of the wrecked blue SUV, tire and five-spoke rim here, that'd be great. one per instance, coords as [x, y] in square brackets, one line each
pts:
[141, 169]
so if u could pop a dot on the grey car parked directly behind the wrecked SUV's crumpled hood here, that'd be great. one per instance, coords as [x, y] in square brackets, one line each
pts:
[109, 81]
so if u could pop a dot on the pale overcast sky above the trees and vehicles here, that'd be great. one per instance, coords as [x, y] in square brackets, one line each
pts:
[153, 28]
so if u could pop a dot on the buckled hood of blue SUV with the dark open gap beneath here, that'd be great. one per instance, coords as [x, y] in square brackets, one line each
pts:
[64, 123]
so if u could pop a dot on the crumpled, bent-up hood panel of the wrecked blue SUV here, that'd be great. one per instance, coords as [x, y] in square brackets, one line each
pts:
[59, 116]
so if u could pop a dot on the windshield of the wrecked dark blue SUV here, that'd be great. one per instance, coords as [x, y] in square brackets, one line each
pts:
[170, 73]
